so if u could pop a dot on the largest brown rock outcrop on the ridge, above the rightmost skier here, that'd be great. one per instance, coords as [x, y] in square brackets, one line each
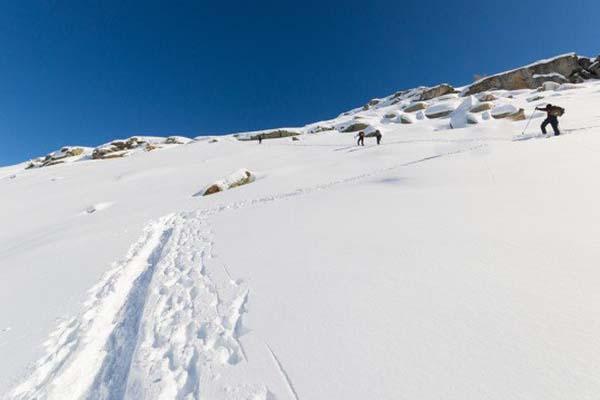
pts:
[560, 69]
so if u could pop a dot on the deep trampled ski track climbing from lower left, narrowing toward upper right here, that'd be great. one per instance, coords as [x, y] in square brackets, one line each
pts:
[159, 325]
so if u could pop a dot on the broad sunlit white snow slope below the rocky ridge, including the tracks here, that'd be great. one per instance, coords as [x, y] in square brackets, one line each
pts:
[442, 264]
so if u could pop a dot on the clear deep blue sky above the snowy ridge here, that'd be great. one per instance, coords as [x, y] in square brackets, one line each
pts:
[84, 72]
